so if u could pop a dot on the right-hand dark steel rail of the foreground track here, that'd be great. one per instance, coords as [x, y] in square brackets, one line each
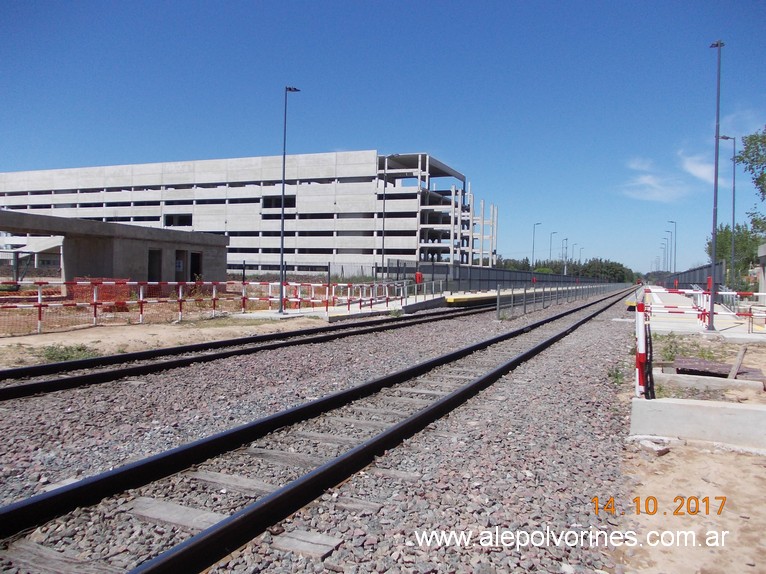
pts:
[216, 542]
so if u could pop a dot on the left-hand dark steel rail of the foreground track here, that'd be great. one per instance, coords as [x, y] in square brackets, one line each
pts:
[28, 513]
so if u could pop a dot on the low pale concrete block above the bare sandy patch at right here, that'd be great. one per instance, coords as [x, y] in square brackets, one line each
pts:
[714, 421]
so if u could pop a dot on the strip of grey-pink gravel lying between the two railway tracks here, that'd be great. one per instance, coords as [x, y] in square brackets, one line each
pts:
[81, 432]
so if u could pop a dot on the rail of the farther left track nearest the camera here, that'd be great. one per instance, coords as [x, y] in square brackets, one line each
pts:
[271, 341]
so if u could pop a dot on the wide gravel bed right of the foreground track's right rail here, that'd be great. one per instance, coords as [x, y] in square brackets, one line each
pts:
[527, 454]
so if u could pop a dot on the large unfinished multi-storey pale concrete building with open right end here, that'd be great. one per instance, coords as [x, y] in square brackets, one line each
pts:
[340, 208]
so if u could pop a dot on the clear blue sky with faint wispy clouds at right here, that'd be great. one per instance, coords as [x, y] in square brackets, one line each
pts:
[596, 119]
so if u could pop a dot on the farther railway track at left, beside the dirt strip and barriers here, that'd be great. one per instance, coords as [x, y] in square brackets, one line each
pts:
[31, 380]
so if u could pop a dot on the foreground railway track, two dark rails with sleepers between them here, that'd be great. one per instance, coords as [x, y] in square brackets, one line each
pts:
[283, 461]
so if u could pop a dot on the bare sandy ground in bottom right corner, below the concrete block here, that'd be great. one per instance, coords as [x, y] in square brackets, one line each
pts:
[725, 543]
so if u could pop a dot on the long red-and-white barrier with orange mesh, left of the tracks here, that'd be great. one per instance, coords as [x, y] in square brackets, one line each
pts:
[121, 300]
